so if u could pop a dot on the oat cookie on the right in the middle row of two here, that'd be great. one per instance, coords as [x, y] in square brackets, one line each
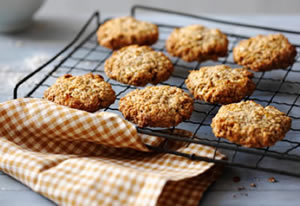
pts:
[220, 84]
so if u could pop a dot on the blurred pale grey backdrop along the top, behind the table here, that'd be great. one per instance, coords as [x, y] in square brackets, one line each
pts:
[190, 6]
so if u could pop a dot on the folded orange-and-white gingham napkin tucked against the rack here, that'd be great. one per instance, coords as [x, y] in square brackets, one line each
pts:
[78, 158]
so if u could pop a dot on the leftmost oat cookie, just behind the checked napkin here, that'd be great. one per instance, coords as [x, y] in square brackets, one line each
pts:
[88, 92]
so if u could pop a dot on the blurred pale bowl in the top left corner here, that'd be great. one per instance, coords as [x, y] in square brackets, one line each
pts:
[16, 15]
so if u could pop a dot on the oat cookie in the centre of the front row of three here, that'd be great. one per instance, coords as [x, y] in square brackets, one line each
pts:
[156, 106]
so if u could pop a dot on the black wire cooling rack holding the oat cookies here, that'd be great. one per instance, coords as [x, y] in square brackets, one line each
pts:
[280, 88]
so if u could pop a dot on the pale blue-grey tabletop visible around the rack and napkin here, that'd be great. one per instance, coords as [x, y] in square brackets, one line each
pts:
[50, 33]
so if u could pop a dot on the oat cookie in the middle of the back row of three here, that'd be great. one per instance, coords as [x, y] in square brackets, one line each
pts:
[197, 43]
